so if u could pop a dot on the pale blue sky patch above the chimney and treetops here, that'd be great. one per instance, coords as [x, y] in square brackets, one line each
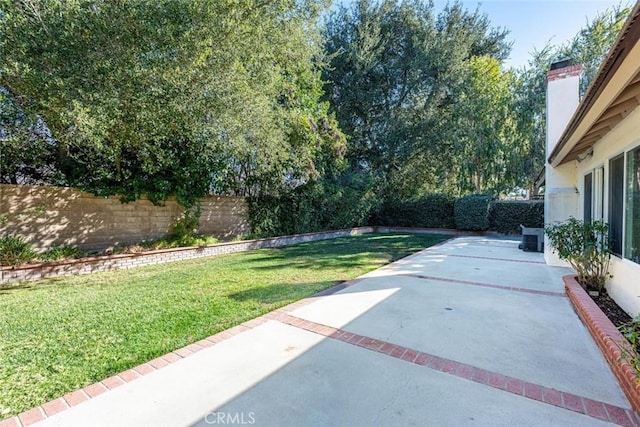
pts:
[533, 23]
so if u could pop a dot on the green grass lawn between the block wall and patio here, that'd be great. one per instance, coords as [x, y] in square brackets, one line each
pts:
[58, 335]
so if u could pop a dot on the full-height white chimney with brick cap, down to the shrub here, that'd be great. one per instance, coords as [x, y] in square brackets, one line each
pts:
[561, 198]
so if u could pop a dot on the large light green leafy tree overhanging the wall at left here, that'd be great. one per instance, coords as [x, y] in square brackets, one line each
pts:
[173, 97]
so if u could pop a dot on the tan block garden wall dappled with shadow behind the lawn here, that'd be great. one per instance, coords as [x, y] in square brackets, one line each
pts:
[53, 216]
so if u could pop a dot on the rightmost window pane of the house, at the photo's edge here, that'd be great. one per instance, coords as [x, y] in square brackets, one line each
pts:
[632, 229]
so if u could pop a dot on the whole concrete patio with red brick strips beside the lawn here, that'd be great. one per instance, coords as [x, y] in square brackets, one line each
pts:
[470, 332]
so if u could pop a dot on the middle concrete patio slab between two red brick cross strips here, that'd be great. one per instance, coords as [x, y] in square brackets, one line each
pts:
[514, 333]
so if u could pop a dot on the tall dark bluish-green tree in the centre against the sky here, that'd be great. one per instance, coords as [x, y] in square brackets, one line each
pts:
[396, 70]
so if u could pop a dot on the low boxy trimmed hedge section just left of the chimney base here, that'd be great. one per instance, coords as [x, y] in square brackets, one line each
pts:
[507, 216]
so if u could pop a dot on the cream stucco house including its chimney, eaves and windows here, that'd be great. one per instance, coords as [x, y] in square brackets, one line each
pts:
[604, 126]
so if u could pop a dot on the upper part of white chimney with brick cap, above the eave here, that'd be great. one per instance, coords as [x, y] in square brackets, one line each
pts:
[563, 96]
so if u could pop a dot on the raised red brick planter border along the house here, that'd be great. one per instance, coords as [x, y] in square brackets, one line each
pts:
[607, 337]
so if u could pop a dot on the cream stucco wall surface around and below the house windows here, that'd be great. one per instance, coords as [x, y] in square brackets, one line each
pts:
[624, 287]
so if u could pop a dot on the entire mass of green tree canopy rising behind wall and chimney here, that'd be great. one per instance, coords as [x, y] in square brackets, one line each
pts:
[385, 100]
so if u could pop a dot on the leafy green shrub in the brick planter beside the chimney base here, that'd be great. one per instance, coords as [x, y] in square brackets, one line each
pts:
[585, 246]
